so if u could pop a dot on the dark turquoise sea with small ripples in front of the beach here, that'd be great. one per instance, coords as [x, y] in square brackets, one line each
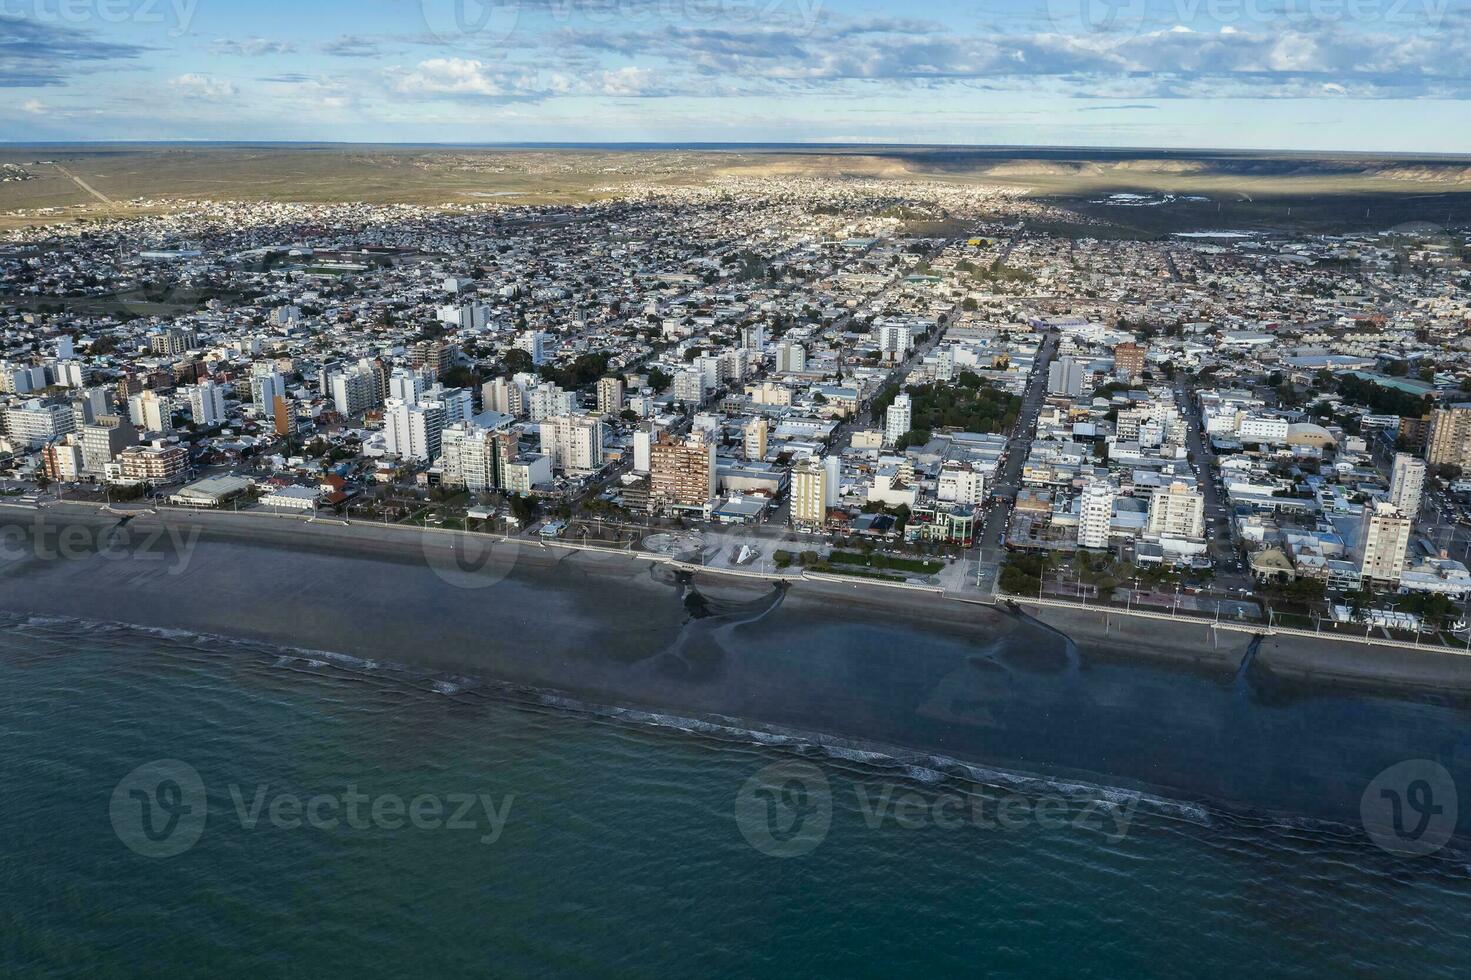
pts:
[624, 845]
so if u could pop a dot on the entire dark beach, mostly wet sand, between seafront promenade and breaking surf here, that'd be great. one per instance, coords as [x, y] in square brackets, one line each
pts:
[1153, 709]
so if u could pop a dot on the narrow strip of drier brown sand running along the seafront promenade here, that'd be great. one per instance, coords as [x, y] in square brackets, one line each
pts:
[1104, 632]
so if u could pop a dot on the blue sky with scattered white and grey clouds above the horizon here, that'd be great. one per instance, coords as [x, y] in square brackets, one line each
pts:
[1389, 76]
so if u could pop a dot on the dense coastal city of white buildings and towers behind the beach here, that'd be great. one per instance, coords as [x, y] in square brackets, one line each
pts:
[817, 372]
